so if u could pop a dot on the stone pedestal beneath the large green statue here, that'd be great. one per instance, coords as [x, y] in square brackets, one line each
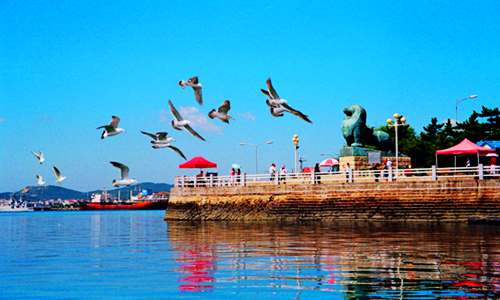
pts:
[357, 157]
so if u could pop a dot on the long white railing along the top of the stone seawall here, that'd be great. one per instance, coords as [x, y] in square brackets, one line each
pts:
[343, 176]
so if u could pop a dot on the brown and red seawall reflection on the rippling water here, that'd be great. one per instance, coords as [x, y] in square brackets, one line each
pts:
[348, 260]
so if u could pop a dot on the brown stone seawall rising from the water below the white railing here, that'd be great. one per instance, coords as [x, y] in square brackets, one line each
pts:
[443, 200]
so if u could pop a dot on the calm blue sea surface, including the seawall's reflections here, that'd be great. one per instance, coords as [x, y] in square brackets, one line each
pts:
[93, 255]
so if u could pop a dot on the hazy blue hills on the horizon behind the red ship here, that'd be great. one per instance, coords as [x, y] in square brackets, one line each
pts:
[58, 192]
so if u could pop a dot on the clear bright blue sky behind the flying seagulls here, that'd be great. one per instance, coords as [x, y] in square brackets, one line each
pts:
[67, 66]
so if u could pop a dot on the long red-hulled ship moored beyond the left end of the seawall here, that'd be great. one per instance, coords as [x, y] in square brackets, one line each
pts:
[102, 202]
